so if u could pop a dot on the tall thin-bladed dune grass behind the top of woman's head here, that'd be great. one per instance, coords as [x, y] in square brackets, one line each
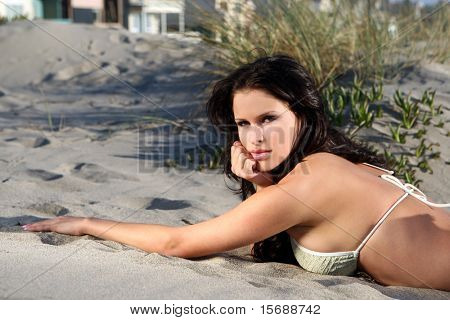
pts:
[351, 36]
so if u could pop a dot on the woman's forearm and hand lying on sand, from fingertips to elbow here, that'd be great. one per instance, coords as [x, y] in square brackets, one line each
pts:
[147, 237]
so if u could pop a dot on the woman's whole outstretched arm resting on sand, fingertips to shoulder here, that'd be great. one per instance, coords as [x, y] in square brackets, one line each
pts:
[270, 211]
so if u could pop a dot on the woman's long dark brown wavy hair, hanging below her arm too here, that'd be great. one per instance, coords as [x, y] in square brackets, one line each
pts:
[287, 80]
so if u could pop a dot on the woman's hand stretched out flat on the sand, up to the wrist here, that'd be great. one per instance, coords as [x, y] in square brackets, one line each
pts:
[67, 225]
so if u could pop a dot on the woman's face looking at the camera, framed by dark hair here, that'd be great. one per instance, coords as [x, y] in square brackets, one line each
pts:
[267, 127]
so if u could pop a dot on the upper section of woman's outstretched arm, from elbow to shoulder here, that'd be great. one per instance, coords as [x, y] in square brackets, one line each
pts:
[266, 213]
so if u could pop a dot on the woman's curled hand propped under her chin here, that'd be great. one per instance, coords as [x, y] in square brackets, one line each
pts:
[243, 165]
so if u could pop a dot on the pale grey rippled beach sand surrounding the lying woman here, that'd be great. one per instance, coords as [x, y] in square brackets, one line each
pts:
[100, 161]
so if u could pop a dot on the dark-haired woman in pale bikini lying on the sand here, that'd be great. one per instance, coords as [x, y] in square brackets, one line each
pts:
[312, 197]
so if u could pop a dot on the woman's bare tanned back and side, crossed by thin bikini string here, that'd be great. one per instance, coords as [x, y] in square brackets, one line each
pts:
[409, 248]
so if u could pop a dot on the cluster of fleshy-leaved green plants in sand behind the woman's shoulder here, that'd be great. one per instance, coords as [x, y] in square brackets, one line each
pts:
[356, 97]
